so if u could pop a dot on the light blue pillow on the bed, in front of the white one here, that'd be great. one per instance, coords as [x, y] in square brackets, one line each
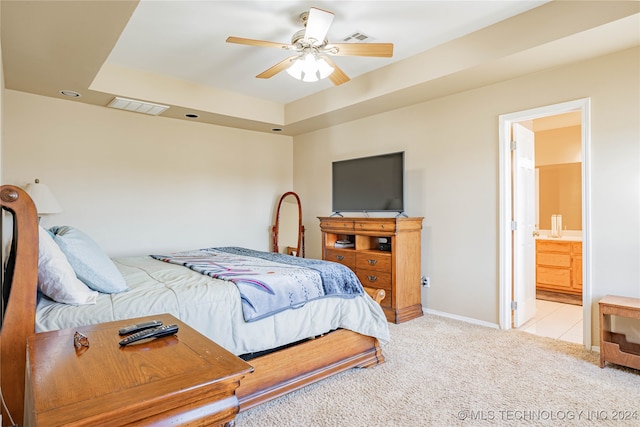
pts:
[90, 263]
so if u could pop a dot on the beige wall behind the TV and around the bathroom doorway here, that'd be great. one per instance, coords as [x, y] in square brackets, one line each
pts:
[451, 147]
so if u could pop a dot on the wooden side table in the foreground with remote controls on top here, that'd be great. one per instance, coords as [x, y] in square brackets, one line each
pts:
[185, 379]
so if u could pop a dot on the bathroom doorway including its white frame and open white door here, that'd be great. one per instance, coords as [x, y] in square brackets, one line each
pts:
[523, 217]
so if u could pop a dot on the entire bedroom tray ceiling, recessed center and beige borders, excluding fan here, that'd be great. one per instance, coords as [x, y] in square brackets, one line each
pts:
[174, 53]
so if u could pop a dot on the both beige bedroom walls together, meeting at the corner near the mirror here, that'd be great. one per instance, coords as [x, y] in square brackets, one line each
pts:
[128, 180]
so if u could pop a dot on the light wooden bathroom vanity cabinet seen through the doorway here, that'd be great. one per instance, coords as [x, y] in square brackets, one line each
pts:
[559, 266]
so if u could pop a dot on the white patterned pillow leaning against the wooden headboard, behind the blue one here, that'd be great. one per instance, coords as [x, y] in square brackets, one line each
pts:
[56, 278]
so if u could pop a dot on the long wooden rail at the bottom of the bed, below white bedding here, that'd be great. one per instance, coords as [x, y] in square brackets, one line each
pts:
[286, 370]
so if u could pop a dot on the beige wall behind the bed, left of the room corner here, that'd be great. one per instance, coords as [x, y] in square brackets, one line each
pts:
[139, 184]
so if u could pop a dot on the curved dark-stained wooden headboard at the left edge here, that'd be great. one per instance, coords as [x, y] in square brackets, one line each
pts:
[19, 290]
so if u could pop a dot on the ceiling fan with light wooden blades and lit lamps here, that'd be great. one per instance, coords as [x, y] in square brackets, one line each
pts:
[311, 61]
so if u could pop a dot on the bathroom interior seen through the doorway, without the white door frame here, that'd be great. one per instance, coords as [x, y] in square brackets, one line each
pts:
[557, 243]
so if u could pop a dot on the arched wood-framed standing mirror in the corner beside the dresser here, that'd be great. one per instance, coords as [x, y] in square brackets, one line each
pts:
[288, 232]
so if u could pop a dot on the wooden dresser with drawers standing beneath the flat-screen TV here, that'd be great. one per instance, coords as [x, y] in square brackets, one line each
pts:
[396, 270]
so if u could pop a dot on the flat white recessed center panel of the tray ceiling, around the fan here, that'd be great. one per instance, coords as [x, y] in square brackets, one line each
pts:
[186, 39]
